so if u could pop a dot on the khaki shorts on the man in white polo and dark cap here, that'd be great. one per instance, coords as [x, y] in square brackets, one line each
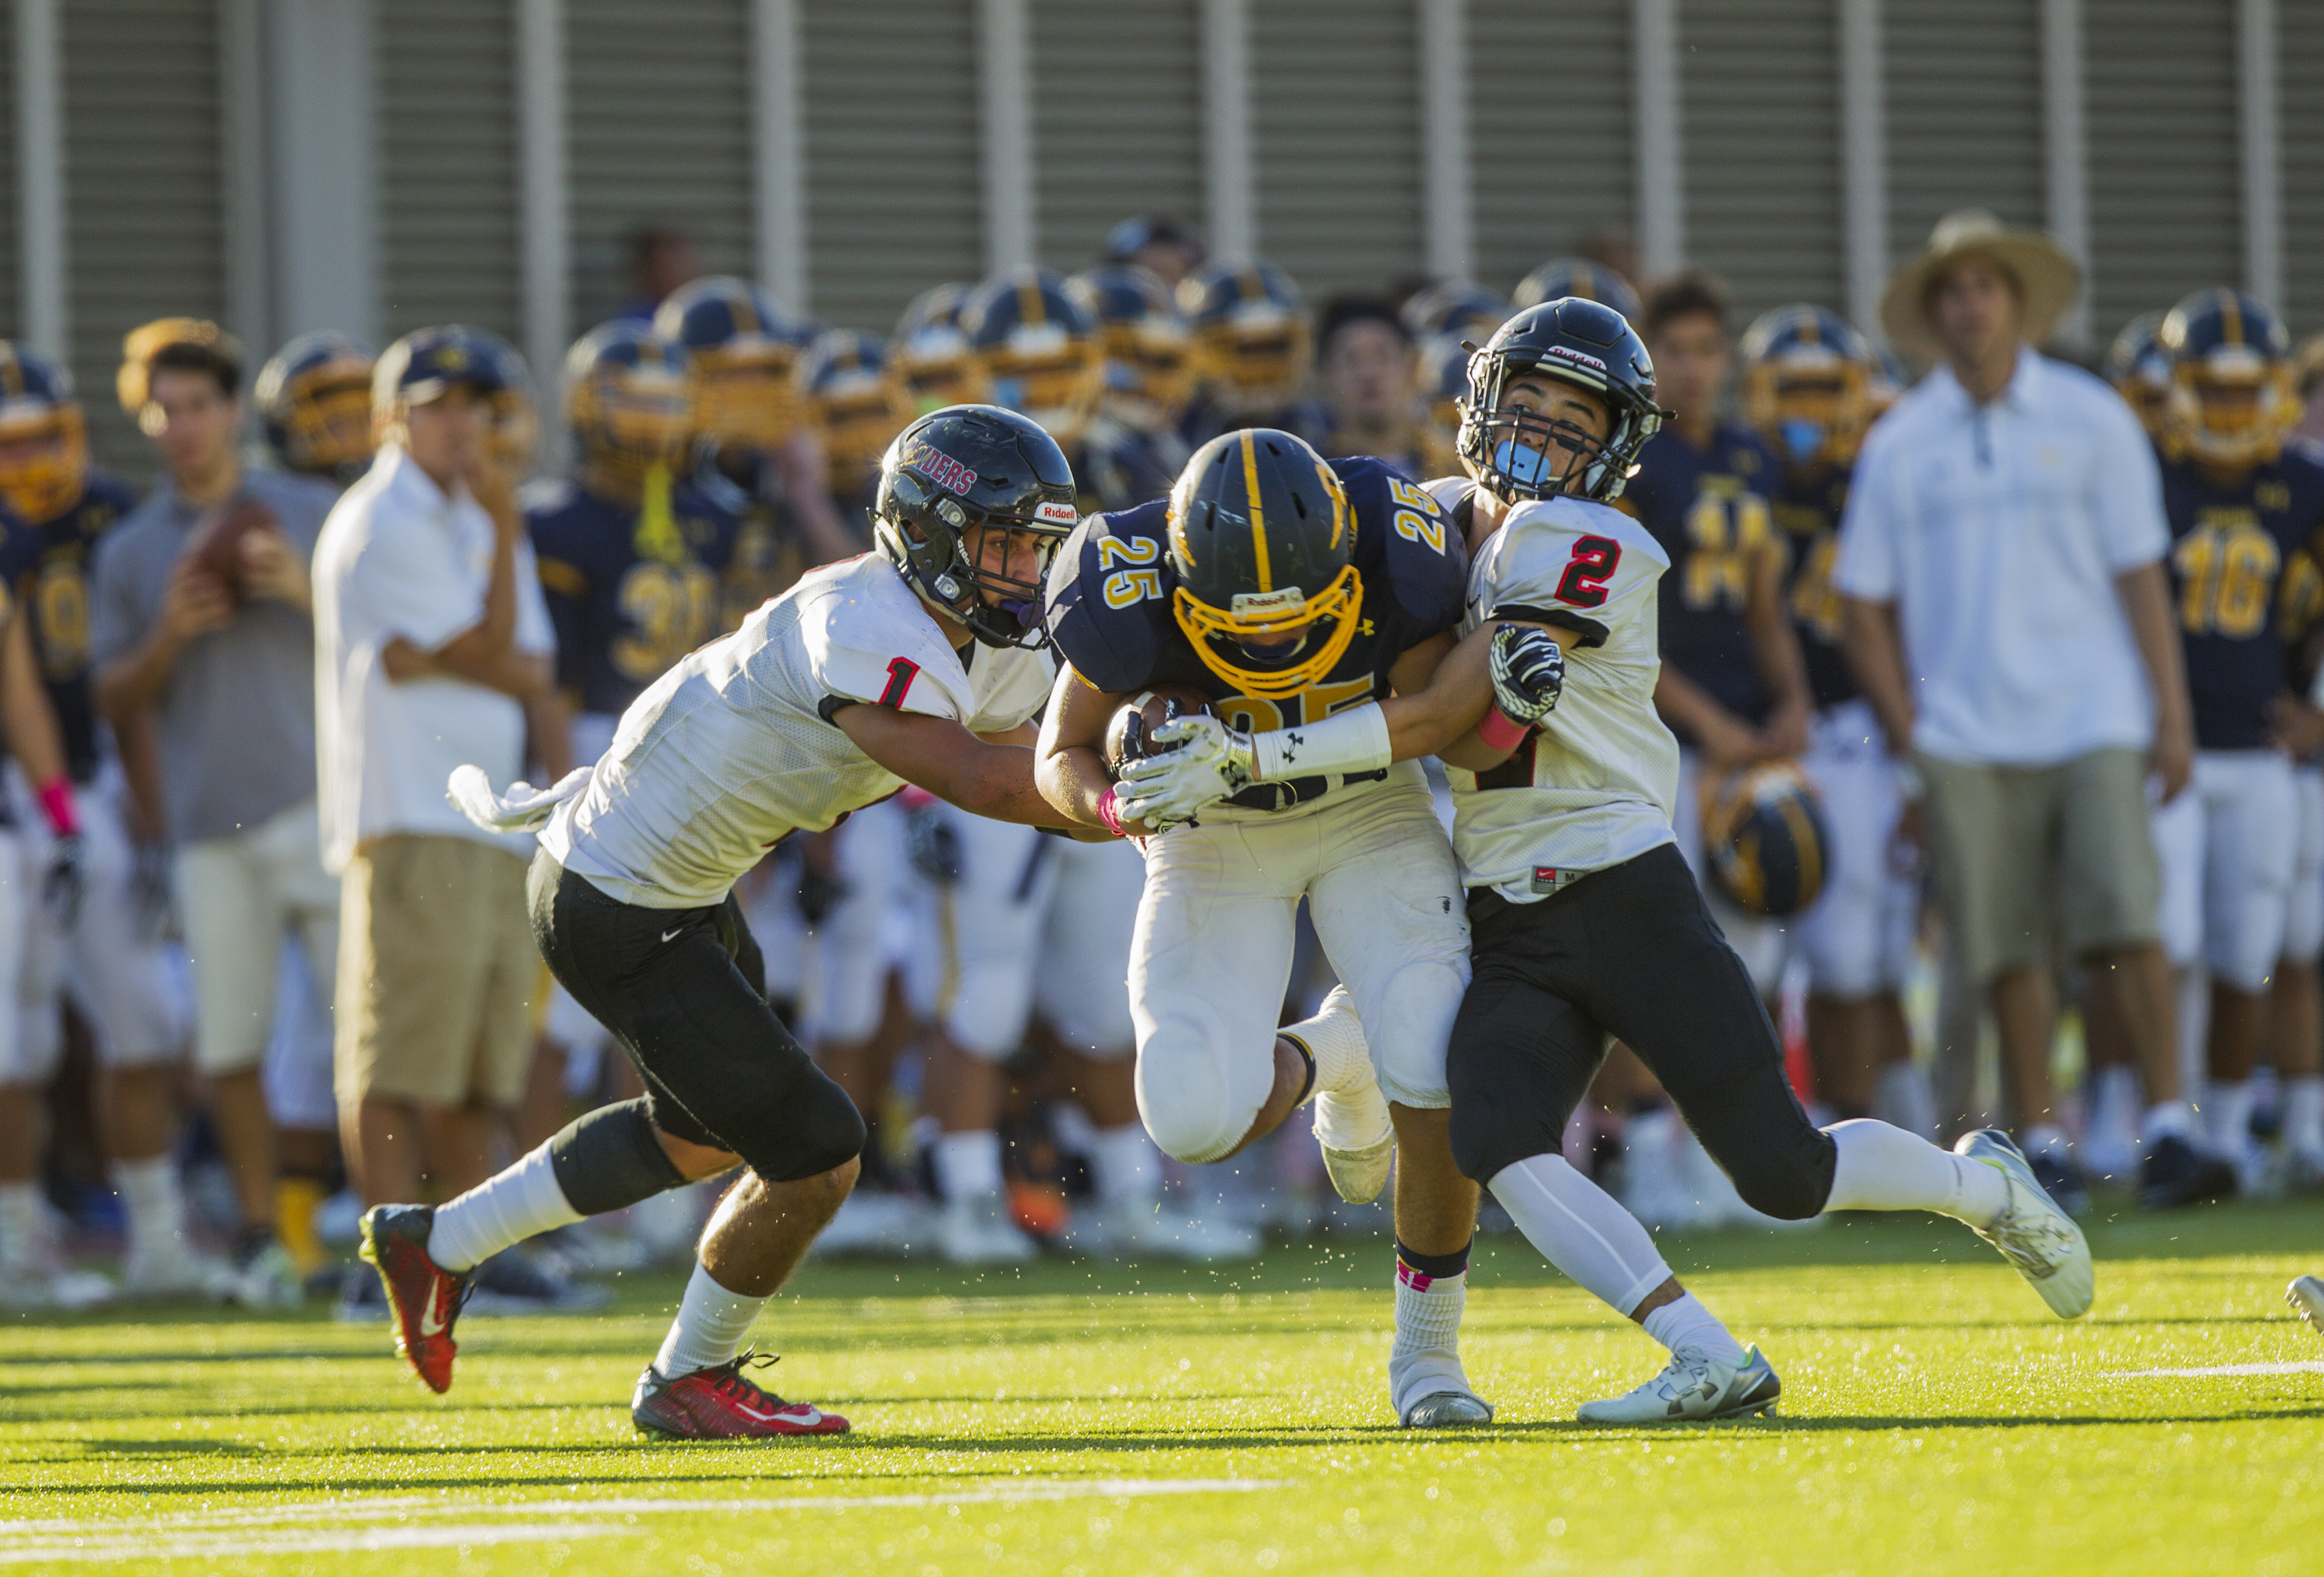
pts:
[436, 974]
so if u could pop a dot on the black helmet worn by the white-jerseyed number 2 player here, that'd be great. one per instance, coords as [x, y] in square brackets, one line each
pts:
[1577, 343]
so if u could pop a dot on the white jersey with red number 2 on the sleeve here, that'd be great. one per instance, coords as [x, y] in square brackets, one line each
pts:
[1598, 784]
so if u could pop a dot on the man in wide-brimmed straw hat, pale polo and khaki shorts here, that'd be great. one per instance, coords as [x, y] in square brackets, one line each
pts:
[2007, 614]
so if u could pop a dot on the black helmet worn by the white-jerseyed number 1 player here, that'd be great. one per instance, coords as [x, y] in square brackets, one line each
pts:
[954, 473]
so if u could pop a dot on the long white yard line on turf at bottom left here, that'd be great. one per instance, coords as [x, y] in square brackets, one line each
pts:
[182, 1534]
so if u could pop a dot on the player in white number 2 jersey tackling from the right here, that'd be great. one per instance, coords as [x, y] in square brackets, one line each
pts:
[1584, 919]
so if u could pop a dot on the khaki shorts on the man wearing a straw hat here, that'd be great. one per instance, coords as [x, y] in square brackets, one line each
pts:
[2037, 856]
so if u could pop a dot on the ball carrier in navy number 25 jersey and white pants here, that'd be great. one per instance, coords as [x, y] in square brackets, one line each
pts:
[1289, 589]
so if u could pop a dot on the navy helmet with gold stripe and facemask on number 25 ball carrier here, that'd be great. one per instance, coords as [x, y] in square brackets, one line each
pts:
[1263, 545]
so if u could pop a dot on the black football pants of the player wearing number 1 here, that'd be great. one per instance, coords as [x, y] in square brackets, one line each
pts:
[684, 991]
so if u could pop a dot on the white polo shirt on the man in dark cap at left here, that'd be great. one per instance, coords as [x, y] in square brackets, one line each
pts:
[403, 559]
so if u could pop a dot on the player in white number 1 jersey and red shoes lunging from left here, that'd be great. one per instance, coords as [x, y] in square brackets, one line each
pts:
[917, 663]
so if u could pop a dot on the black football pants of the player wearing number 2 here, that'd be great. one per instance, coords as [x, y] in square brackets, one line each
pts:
[1635, 956]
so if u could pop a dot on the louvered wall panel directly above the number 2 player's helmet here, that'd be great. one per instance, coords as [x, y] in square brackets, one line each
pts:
[1549, 129]
